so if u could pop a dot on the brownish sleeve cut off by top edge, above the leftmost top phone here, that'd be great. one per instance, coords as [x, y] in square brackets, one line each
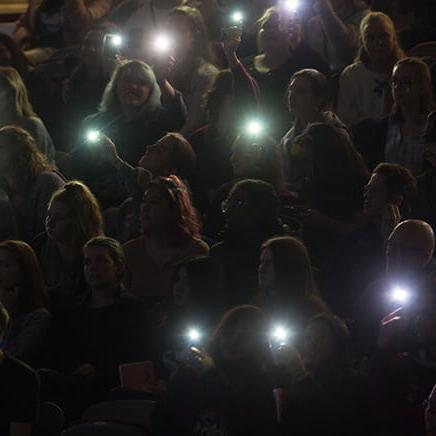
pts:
[81, 13]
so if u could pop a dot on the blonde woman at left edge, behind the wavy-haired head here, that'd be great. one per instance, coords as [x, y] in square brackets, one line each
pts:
[16, 109]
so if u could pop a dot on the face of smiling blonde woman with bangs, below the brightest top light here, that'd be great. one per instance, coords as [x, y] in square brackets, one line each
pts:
[132, 89]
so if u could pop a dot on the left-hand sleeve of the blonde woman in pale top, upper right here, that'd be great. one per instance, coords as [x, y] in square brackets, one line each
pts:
[348, 104]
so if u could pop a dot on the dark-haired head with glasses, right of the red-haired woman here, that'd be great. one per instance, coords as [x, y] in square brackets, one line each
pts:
[252, 208]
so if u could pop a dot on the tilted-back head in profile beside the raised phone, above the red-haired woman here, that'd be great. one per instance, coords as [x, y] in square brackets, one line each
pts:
[171, 154]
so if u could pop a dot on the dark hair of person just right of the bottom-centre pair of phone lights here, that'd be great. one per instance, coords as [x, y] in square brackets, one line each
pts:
[342, 338]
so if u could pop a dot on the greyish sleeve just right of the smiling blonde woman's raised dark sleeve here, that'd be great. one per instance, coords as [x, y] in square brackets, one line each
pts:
[197, 107]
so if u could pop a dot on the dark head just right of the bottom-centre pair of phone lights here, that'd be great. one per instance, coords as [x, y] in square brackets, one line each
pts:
[326, 345]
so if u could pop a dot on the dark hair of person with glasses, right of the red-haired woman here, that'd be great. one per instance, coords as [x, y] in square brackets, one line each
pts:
[263, 195]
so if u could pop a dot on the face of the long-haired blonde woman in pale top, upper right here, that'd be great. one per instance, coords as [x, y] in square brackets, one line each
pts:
[378, 39]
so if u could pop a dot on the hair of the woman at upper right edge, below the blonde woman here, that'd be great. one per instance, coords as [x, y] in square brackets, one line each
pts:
[422, 76]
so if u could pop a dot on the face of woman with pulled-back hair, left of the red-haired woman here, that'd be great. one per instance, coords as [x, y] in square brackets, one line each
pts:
[100, 269]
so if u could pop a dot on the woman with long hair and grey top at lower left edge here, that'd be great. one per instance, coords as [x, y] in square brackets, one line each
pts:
[23, 294]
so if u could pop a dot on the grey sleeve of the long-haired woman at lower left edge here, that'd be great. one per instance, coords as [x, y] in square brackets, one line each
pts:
[31, 337]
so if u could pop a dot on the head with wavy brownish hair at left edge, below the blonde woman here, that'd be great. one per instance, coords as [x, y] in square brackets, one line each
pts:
[21, 158]
